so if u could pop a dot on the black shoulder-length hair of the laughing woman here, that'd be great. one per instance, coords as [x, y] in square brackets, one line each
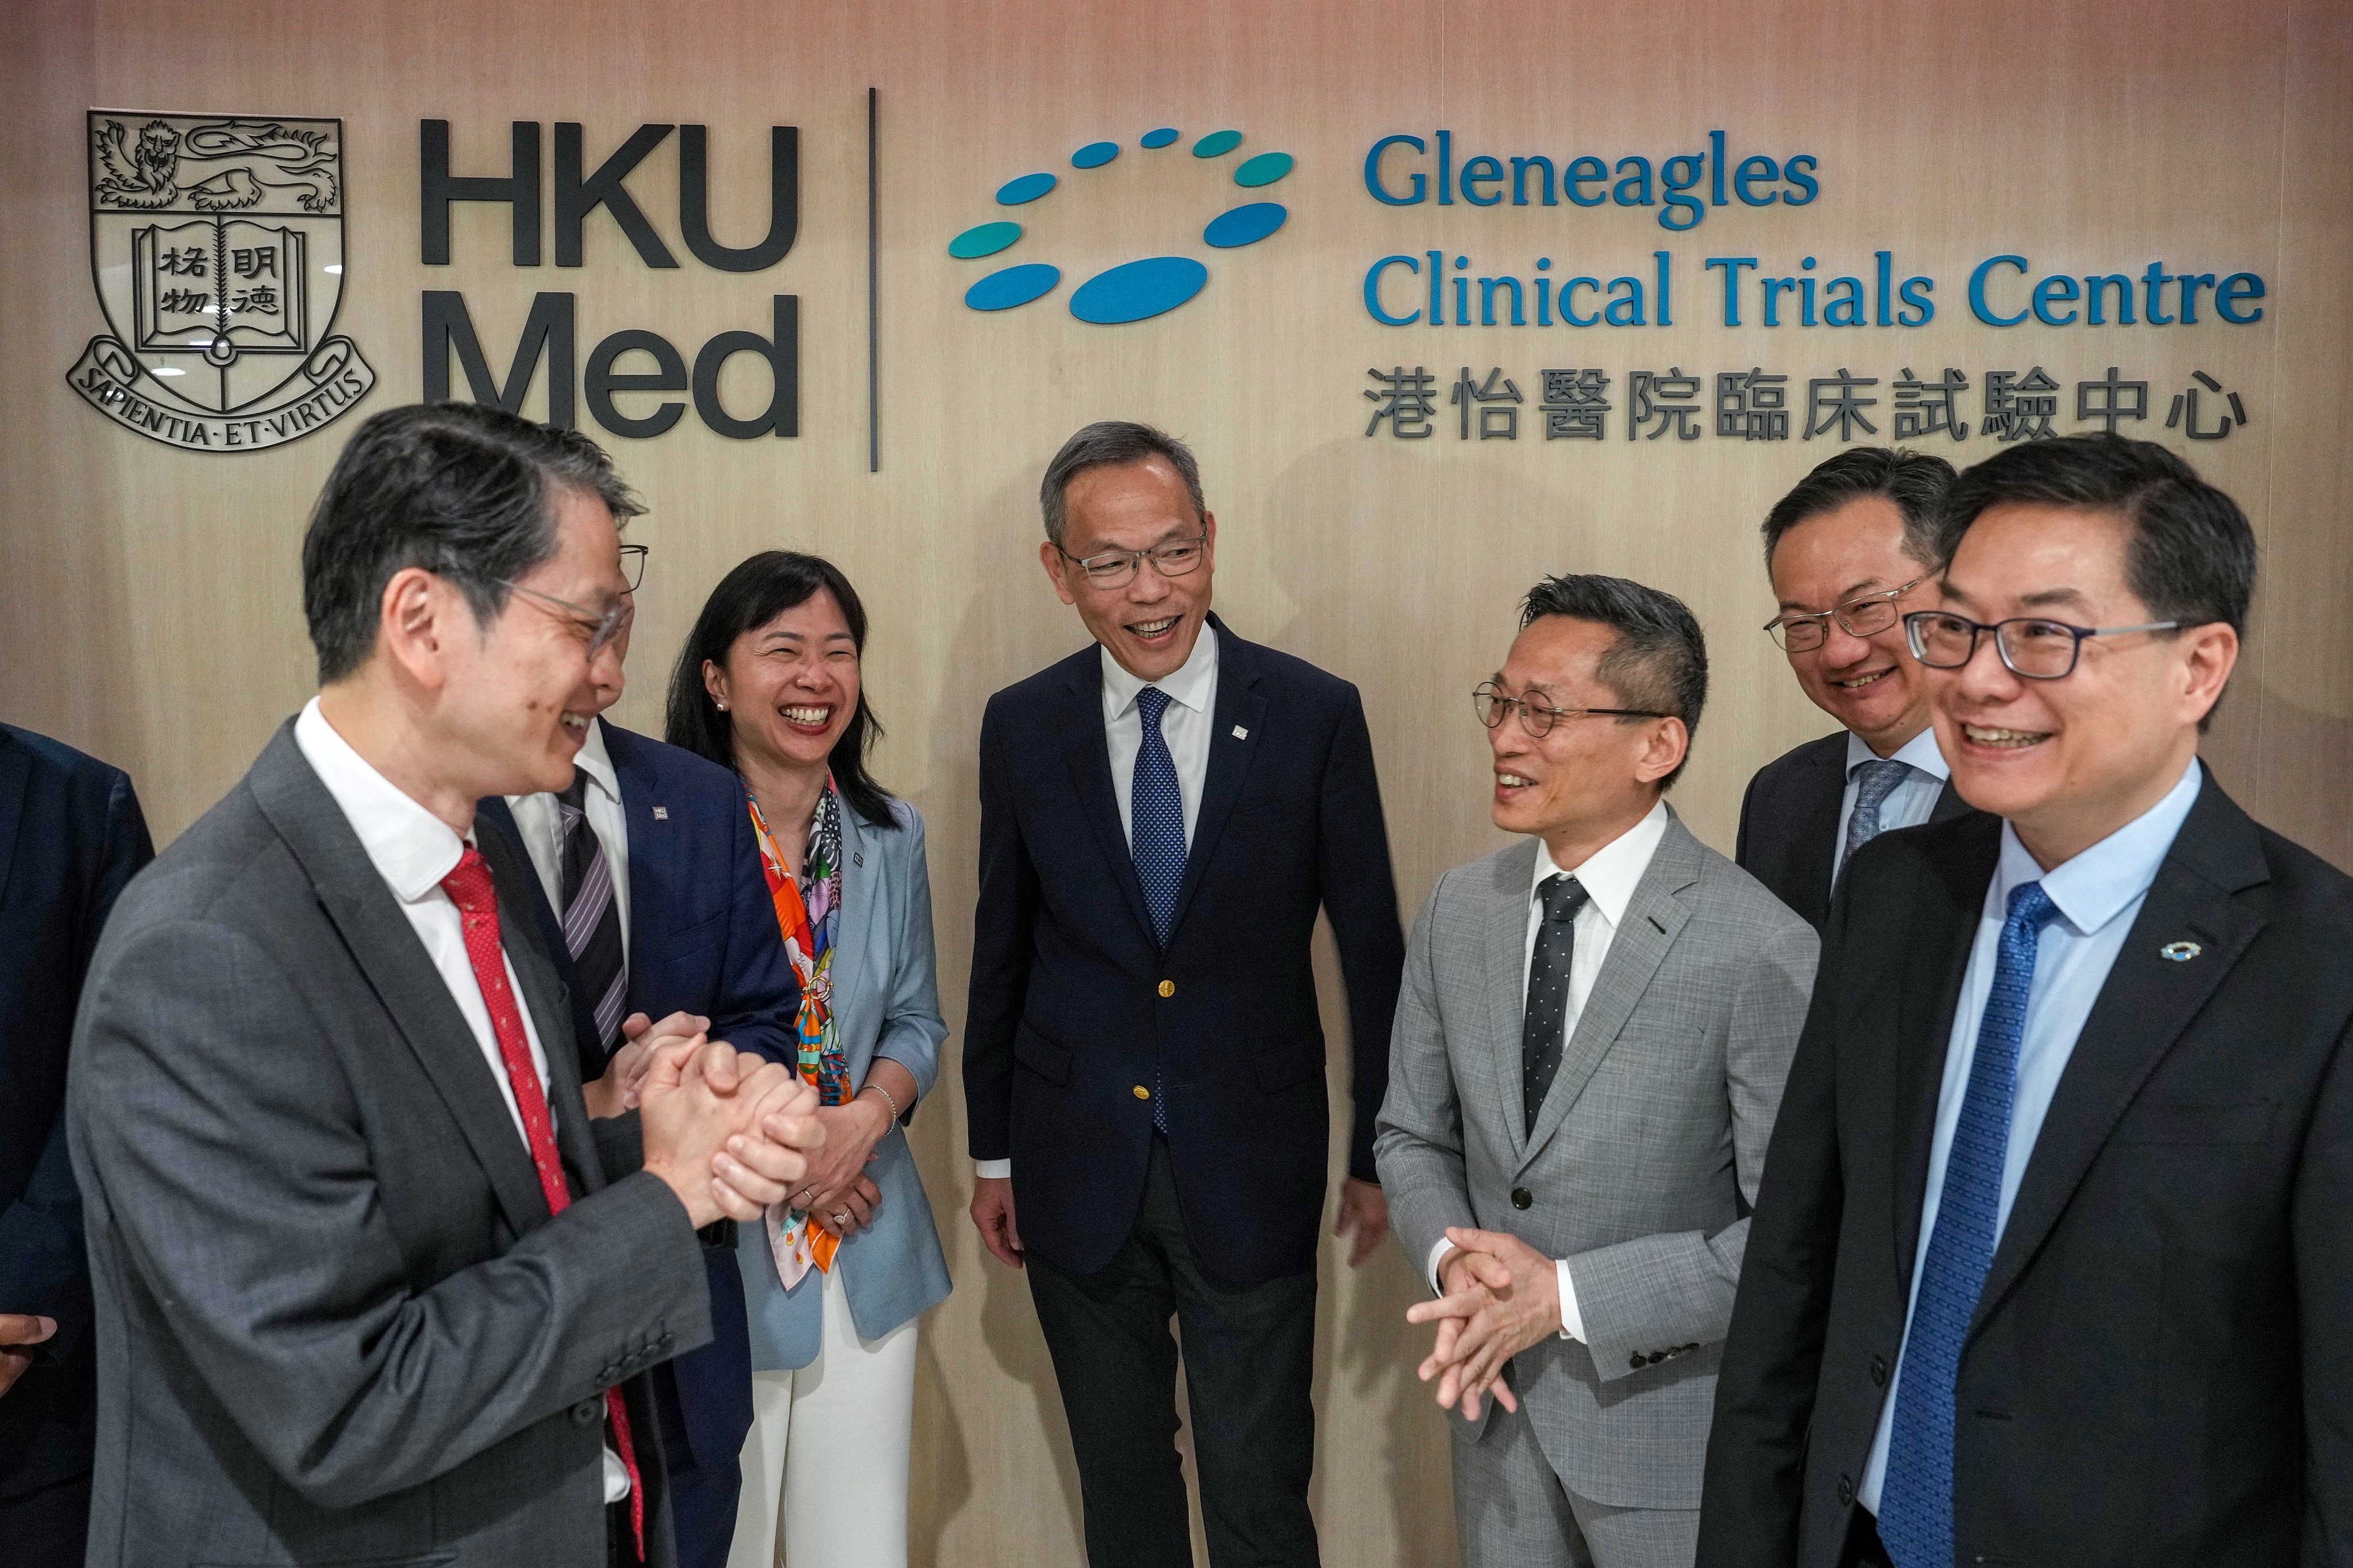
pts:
[754, 594]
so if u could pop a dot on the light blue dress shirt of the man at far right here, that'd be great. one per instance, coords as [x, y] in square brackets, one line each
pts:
[2100, 896]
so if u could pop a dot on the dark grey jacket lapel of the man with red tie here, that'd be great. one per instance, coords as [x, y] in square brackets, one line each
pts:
[396, 966]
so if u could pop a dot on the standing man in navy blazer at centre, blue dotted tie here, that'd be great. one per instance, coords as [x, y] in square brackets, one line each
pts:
[1145, 1063]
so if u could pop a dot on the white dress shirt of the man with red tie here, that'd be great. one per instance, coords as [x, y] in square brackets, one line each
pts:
[413, 851]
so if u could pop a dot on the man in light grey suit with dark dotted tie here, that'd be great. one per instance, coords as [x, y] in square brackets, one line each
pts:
[1585, 1072]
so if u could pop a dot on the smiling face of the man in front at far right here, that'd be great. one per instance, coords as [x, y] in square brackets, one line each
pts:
[2069, 762]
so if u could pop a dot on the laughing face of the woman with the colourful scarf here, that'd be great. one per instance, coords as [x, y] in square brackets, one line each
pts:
[789, 684]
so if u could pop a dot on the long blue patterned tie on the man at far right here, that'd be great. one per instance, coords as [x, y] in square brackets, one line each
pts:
[1917, 1499]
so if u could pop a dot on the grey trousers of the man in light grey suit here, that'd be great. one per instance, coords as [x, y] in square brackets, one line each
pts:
[1514, 1513]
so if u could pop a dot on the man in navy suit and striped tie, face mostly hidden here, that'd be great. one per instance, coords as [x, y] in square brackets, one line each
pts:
[653, 903]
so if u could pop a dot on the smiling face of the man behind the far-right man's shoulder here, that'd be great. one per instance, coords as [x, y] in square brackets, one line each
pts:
[1872, 686]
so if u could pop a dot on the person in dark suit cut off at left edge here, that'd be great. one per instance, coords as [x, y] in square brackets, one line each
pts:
[69, 839]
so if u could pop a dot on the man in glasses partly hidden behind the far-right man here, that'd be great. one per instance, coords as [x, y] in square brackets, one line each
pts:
[1851, 550]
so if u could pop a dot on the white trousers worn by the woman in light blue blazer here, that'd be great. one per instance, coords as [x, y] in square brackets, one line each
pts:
[825, 1463]
